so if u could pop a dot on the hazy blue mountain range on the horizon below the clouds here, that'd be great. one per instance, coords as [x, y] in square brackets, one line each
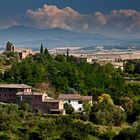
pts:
[23, 36]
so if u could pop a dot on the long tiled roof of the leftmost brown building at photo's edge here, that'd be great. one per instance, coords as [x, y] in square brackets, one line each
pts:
[14, 86]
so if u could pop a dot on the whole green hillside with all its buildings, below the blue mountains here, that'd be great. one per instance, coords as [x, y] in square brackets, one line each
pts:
[77, 95]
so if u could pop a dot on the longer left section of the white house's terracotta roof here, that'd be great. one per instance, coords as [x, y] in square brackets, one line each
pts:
[70, 96]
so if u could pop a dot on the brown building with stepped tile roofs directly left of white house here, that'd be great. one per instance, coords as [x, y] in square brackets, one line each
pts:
[41, 102]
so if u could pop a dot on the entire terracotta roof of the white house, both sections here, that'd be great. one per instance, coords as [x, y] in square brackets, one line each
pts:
[74, 97]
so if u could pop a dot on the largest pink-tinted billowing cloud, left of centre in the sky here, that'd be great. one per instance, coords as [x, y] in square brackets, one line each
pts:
[52, 17]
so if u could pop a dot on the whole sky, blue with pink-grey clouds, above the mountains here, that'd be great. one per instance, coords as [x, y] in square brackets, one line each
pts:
[97, 16]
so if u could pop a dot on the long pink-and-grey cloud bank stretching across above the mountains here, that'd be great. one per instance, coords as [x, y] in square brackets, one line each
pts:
[116, 22]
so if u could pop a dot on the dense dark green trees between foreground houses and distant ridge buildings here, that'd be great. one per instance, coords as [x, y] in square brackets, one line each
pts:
[84, 78]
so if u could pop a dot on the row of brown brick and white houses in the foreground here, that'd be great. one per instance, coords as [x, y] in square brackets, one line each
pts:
[20, 93]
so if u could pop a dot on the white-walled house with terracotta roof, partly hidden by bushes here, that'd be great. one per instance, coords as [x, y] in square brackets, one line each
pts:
[76, 100]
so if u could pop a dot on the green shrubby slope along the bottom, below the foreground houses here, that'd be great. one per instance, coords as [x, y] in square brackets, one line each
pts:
[18, 122]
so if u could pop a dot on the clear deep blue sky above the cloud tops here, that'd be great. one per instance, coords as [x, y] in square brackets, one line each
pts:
[12, 7]
